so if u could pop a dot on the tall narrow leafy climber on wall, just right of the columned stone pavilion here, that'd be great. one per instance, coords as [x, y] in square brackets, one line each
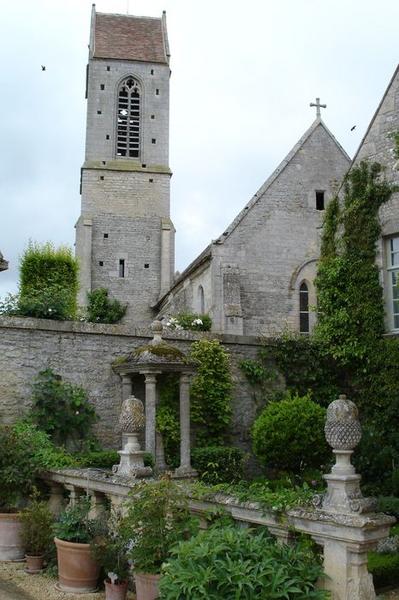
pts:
[210, 392]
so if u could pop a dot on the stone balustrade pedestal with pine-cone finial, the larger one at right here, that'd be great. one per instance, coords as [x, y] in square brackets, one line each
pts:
[343, 522]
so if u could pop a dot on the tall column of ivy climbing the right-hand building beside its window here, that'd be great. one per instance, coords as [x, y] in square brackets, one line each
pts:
[349, 294]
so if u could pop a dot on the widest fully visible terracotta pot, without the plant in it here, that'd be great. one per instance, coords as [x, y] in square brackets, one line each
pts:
[77, 570]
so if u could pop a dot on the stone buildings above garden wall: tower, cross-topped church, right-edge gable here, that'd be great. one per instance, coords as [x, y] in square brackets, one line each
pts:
[258, 276]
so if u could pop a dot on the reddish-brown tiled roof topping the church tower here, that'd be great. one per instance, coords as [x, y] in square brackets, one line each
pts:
[127, 37]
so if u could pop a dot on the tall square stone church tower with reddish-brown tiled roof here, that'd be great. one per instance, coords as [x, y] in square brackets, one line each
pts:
[124, 235]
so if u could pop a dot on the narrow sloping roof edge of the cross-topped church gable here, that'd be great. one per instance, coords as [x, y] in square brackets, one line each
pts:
[206, 254]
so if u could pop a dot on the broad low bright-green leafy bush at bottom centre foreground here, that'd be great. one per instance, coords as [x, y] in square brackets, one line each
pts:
[240, 563]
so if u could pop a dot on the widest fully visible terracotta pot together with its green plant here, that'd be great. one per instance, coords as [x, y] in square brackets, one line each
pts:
[74, 530]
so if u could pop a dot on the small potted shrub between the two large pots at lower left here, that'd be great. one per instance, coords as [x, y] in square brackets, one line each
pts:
[36, 532]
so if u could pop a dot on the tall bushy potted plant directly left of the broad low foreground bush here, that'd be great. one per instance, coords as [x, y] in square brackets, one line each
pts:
[157, 517]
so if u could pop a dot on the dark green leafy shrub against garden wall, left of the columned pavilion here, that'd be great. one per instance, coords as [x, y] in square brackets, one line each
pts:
[61, 409]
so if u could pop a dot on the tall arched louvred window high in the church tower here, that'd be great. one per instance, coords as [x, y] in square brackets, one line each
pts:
[128, 119]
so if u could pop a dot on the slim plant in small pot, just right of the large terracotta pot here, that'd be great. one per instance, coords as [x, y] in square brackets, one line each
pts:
[109, 549]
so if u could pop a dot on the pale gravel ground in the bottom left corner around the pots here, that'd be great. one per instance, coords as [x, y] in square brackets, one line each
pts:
[15, 584]
